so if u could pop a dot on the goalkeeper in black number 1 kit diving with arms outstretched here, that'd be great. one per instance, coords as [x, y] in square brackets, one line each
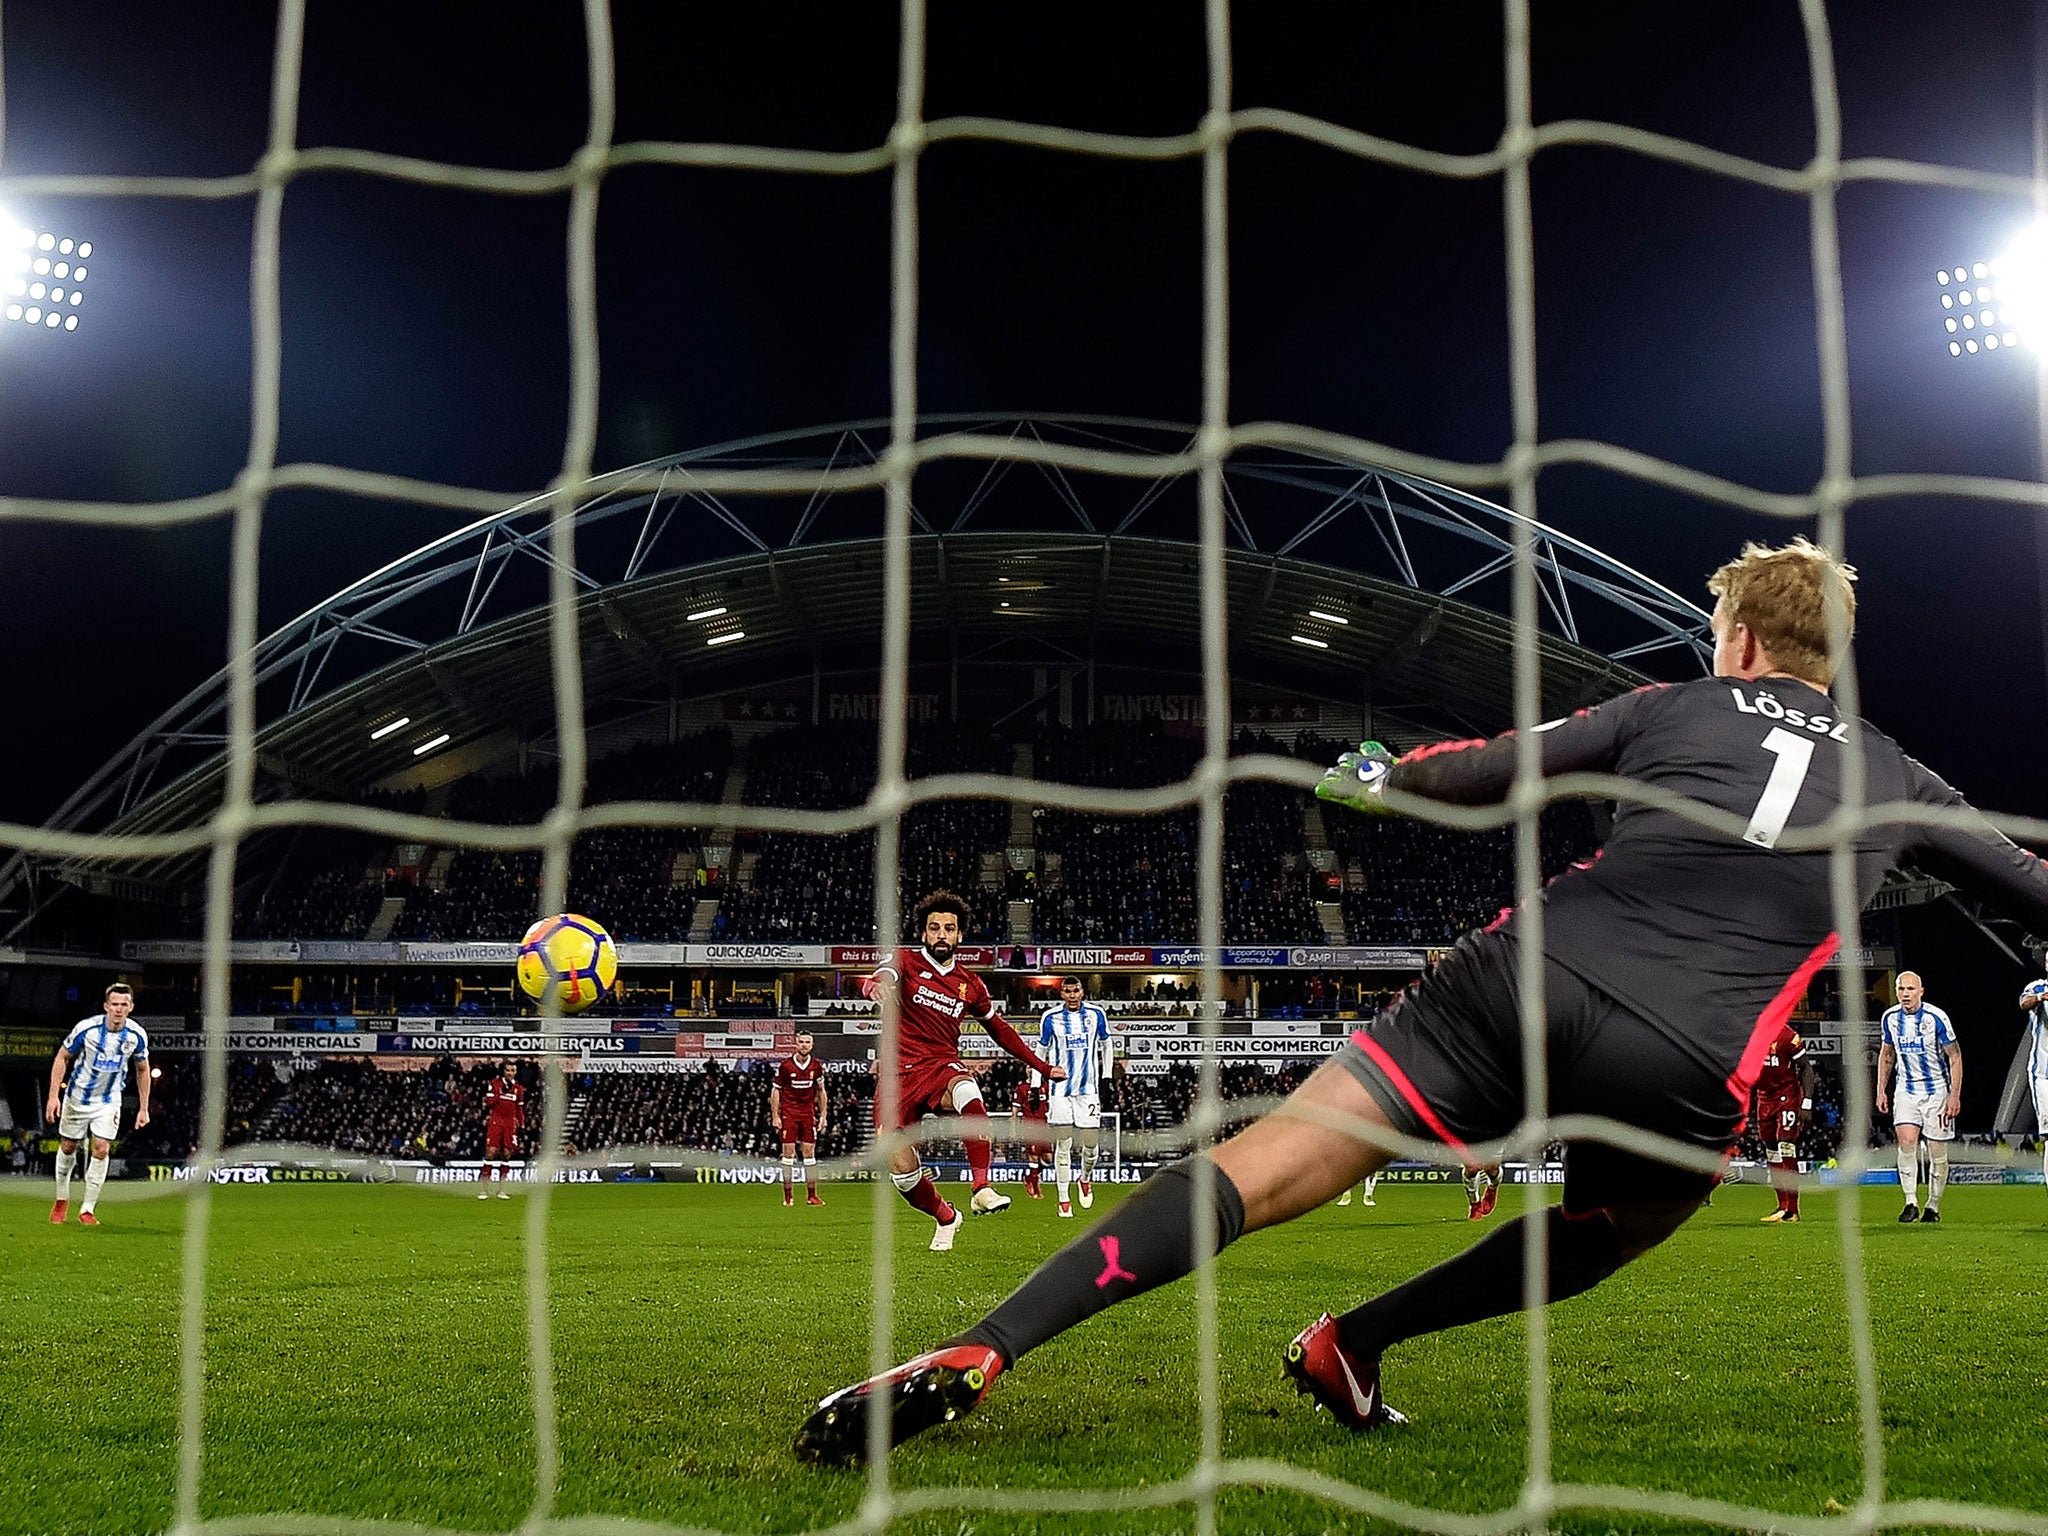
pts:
[1670, 964]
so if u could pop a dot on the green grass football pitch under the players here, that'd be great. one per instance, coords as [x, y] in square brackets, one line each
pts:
[368, 1359]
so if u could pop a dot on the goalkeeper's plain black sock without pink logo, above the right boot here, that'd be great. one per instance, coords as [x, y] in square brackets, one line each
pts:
[1484, 1281]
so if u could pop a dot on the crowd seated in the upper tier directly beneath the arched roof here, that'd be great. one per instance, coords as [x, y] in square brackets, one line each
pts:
[1095, 880]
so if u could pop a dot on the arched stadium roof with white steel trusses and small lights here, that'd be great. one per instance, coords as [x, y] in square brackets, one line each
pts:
[1347, 583]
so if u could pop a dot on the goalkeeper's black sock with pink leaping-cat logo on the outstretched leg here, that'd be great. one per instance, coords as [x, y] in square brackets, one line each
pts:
[1142, 1244]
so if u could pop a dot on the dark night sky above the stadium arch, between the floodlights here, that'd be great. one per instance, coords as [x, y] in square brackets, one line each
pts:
[425, 331]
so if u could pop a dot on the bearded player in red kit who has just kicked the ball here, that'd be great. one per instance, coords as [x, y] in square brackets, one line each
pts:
[931, 1080]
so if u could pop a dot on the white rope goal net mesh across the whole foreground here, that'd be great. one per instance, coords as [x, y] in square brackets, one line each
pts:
[583, 177]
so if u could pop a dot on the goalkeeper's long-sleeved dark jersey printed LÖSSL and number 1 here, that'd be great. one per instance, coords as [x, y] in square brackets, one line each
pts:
[1697, 931]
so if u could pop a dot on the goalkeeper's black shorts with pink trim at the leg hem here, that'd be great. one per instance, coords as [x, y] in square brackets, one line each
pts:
[1447, 1066]
